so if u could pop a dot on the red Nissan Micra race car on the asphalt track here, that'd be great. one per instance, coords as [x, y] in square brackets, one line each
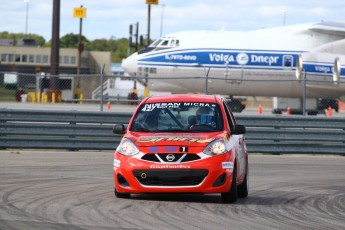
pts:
[182, 144]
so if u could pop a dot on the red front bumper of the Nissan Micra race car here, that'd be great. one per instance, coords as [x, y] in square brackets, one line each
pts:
[207, 175]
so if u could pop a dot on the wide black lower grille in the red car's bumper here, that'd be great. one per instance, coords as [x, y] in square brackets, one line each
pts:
[181, 177]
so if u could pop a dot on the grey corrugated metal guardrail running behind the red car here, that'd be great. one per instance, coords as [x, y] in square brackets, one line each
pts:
[77, 130]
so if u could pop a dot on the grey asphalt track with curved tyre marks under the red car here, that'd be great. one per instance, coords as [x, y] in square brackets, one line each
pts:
[74, 190]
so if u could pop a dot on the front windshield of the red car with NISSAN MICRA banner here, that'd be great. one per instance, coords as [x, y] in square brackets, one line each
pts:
[178, 117]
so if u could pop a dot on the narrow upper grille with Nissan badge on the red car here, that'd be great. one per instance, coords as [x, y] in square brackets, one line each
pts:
[177, 157]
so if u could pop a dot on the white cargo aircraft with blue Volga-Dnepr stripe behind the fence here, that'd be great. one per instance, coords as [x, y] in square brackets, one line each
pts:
[265, 62]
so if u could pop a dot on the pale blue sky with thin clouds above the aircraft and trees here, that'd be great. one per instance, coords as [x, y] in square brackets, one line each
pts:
[110, 19]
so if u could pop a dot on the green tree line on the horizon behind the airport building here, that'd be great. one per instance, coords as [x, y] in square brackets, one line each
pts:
[117, 47]
